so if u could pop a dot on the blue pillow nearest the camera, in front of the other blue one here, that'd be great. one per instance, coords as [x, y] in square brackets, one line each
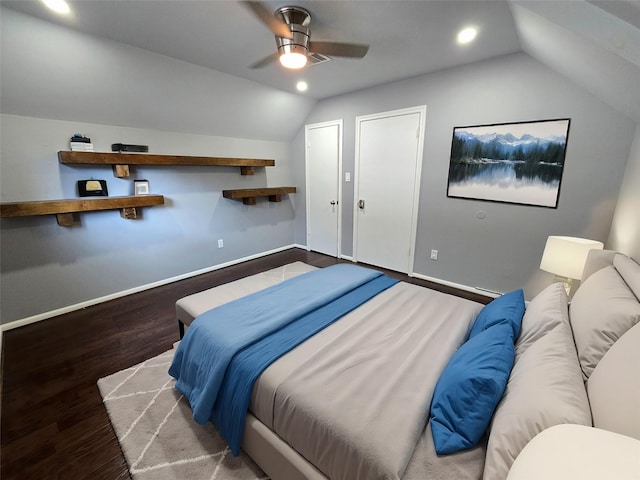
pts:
[470, 388]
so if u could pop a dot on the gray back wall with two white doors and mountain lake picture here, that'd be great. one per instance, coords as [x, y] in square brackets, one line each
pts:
[502, 251]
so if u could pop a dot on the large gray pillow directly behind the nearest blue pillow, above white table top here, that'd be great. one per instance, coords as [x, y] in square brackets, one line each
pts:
[545, 389]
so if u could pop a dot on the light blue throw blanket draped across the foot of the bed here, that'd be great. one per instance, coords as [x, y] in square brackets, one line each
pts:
[215, 337]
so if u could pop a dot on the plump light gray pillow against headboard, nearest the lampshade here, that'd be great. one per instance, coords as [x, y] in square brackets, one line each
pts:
[602, 310]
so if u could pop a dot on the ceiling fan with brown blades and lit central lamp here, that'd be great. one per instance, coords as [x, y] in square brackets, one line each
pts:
[290, 25]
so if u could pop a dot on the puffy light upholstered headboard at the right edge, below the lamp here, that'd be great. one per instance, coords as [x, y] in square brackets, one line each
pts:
[605, 318]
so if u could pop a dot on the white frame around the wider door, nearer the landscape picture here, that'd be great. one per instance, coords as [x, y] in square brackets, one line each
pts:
[421, 110]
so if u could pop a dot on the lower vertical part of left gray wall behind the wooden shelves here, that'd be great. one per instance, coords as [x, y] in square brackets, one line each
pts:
[46, 267]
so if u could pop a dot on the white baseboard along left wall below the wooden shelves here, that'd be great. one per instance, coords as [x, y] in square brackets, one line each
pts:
[94, 301]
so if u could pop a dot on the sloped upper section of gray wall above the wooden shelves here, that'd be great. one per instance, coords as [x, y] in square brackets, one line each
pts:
[53, 72]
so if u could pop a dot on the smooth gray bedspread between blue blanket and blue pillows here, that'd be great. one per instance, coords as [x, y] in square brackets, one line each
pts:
[354, 399]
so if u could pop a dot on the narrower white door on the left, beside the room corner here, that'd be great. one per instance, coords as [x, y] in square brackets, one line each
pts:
[323, 165]
